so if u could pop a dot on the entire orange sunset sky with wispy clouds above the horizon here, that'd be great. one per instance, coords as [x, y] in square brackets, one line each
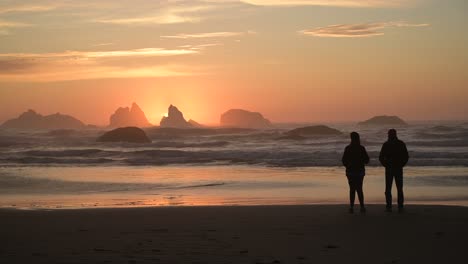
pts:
[296, 61]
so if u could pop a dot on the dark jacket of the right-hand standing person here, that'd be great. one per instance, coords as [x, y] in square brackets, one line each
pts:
[394, 154]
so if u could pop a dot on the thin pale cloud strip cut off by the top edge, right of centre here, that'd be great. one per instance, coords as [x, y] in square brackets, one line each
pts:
[337, 3]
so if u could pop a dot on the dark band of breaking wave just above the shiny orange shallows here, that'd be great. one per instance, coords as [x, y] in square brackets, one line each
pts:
[300, 157]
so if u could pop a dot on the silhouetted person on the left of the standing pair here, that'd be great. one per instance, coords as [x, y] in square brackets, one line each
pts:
[354, 159]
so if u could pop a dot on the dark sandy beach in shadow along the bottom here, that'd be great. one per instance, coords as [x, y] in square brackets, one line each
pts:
[249, 234]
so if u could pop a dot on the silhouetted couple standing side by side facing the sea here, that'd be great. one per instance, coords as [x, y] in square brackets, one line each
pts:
[393, 157]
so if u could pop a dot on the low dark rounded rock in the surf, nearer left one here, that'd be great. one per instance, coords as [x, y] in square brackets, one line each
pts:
[125, 134]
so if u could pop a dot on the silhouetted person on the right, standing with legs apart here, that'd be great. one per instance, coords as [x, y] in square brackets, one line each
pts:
[393, 157]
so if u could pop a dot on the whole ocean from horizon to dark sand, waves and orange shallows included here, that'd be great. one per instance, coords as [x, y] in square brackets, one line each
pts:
[69, 169]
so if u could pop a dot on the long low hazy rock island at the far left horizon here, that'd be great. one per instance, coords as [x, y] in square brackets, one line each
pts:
[32, 120]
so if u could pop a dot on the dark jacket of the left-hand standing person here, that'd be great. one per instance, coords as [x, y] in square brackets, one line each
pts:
[354, 158]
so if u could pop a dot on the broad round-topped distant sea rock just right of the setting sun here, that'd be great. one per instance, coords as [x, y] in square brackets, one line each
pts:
[245, 119]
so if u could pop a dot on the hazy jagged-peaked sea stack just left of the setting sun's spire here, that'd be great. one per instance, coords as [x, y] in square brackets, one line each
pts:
[124, 117]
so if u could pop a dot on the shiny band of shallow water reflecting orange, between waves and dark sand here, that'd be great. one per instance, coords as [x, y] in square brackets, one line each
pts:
[84, 187]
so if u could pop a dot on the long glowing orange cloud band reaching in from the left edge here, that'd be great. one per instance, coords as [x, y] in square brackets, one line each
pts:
[79, 65]
